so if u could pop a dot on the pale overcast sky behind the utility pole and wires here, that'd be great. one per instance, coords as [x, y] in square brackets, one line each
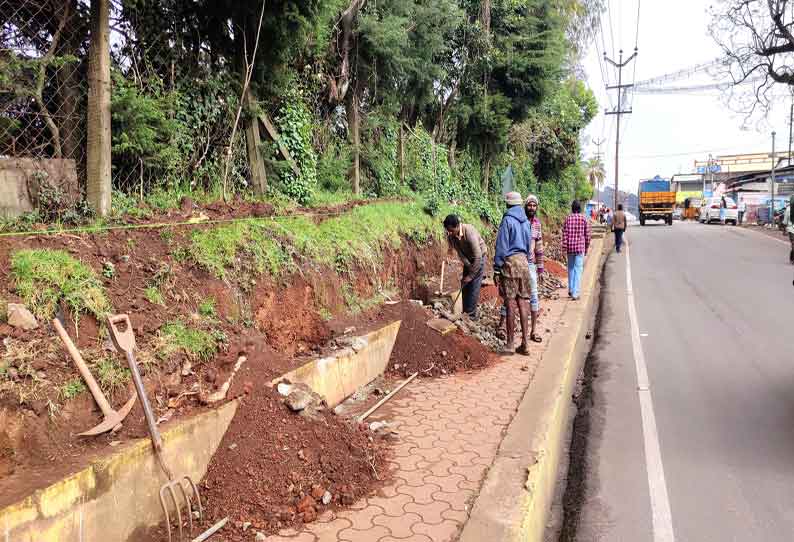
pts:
[666, 133]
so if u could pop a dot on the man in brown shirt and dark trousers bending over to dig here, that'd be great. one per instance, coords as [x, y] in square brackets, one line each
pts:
[471, 249]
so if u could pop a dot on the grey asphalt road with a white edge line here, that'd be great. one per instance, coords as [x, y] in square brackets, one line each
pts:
[704, 451]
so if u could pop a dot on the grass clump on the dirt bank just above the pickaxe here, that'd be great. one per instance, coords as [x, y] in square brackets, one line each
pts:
[44, 277]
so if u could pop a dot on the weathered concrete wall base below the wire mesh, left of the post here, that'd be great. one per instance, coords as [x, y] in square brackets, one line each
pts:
[19, 184]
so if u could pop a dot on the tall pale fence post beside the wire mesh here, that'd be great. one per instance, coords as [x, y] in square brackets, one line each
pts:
[98, 159]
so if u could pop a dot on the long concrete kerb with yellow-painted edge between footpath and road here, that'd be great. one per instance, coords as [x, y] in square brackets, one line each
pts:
[516, 496]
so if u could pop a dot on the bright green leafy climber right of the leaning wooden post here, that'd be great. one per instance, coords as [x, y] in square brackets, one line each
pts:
[294, 124]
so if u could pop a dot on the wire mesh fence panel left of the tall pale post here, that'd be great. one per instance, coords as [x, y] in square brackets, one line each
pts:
[43, 59]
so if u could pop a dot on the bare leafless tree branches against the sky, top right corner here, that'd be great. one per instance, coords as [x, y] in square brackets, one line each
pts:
[758, 41]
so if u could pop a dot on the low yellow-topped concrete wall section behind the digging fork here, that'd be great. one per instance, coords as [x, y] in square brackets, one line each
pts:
[115, 495]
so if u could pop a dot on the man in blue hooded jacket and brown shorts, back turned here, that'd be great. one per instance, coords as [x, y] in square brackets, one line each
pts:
[511, 268]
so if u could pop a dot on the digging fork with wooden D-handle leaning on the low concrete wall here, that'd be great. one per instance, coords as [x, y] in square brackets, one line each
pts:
[124, 340]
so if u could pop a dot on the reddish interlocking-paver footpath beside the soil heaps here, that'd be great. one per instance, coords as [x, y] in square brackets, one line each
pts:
[449, 432]
